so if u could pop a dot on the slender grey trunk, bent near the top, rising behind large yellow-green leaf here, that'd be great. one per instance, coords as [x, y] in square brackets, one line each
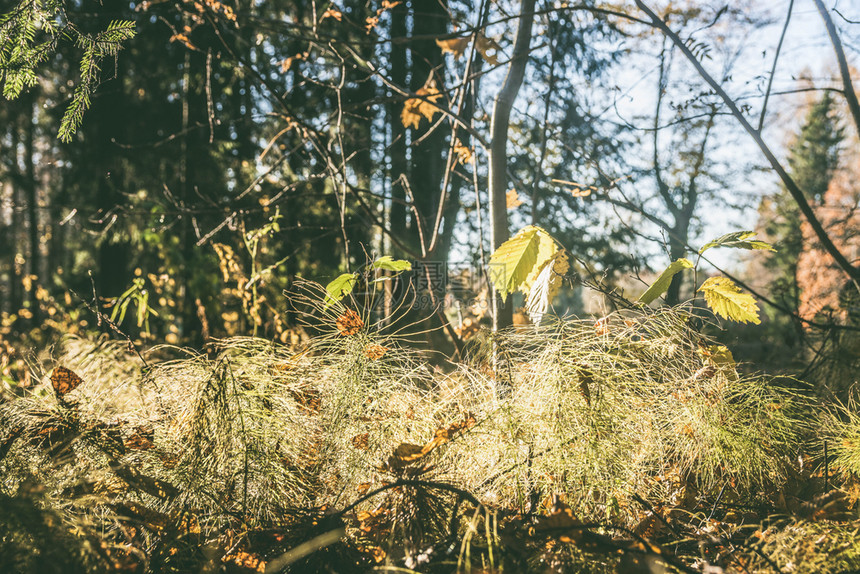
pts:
[499, 232]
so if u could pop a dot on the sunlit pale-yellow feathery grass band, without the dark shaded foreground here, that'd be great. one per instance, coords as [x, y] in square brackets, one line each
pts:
[260, 435]
